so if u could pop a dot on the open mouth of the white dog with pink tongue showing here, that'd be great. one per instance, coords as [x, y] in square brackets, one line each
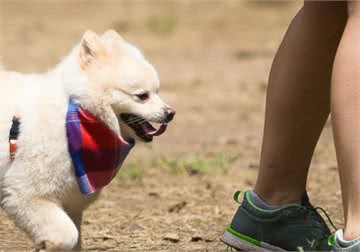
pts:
[142, 127]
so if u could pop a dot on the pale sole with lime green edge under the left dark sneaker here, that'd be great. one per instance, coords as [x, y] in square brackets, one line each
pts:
[236, 242]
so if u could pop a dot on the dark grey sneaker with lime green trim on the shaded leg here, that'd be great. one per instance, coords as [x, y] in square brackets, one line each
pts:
[294, 227]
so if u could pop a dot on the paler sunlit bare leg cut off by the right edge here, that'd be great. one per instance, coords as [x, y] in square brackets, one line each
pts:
[345, 110]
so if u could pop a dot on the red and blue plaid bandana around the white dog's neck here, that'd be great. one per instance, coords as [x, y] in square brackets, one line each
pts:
[96, 151]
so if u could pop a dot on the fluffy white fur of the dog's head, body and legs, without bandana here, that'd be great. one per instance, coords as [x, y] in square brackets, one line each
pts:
[38, 189]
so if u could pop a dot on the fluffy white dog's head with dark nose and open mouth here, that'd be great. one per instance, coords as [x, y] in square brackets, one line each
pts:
[128, 82]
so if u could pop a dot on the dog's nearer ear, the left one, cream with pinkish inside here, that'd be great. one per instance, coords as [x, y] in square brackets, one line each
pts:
[91, 47]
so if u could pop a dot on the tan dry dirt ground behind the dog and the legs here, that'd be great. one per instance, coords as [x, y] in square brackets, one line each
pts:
[213, 58]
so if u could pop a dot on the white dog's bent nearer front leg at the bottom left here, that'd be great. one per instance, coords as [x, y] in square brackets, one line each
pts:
[48, 224]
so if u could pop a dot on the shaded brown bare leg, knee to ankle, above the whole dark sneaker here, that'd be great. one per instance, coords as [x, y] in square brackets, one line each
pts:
[298, 100]
